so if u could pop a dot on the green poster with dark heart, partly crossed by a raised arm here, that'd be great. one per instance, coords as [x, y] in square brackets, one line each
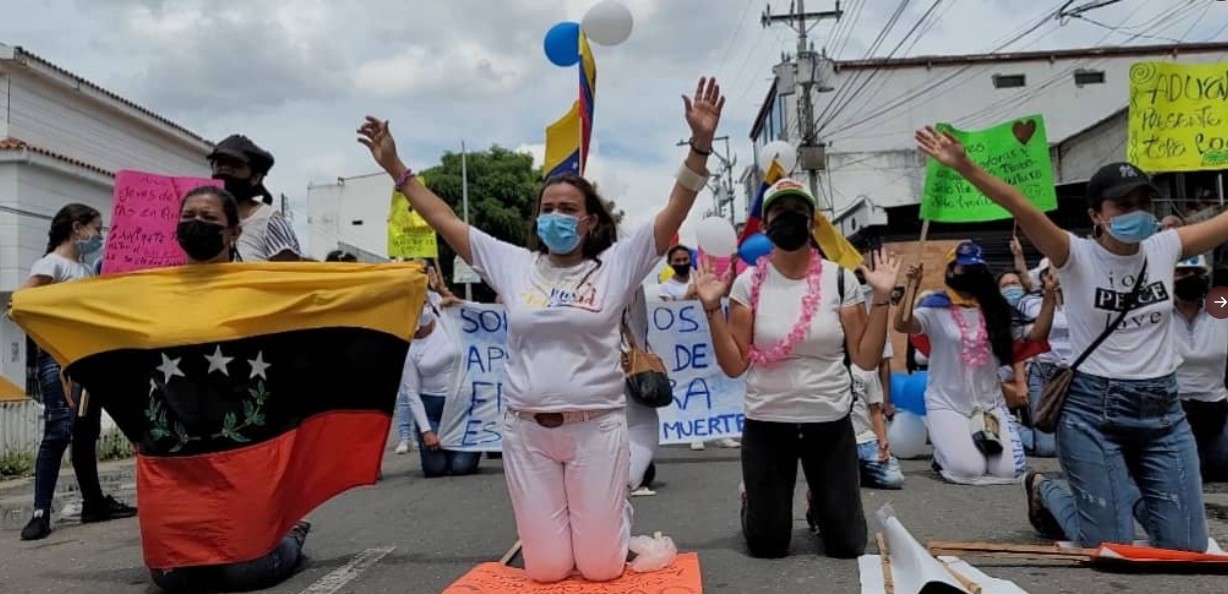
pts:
[1016, 153]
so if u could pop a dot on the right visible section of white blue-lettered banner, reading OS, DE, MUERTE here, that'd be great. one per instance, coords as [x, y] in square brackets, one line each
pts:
[708, 406]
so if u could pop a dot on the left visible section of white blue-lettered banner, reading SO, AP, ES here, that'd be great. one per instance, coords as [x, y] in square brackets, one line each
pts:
[473, 413]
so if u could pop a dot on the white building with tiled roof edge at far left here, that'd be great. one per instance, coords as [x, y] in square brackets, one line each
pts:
[62, 139]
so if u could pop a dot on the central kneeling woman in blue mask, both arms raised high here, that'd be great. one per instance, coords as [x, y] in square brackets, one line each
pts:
[565, 438]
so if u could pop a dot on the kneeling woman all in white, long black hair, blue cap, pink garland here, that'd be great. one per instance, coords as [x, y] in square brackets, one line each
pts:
[972, 334]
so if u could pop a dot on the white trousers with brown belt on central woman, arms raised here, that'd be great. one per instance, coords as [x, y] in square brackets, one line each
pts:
[569, 494]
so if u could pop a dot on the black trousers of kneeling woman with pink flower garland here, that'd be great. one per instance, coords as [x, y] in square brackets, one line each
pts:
[828, 453]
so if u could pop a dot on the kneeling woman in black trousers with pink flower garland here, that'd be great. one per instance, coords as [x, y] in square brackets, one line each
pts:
[793, 318]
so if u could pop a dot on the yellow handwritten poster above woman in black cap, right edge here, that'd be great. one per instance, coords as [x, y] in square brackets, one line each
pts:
[1178, 117]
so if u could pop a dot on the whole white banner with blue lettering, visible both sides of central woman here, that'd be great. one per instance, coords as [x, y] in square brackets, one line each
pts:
[708, 406]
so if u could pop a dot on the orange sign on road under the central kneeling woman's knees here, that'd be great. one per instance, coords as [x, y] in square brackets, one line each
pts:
[682, 577]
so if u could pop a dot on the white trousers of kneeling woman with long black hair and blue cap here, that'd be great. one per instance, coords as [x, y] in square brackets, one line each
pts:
[962, 463]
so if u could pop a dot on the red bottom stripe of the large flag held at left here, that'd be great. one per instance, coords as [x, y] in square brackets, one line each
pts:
[238, 506]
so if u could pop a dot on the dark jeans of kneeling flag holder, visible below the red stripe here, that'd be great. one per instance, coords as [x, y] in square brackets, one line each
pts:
[256, 575]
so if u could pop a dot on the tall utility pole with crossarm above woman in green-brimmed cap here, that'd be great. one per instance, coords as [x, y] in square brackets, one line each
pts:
[811, 154]
